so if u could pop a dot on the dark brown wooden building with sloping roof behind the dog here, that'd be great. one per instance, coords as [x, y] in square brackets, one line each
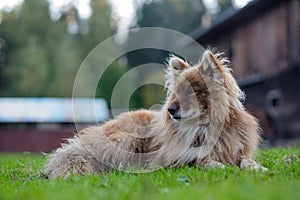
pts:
[262, 40]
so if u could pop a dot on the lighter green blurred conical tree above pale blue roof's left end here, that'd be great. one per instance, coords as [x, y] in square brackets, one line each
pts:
[30, 78]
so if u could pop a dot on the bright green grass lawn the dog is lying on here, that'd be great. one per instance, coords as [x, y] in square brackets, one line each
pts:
[20, 179]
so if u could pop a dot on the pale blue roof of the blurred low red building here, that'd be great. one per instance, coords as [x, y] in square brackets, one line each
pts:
[51, 110]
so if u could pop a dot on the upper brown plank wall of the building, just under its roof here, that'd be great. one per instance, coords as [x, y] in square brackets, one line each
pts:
[268, 44]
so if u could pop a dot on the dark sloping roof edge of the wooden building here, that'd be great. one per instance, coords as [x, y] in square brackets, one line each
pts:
[232, 18]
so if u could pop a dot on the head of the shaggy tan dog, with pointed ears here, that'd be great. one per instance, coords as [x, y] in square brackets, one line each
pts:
[193, 89]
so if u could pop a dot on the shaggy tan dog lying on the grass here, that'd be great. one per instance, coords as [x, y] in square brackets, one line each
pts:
[202, 123]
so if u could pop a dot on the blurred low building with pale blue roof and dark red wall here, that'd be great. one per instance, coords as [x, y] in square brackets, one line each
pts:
[41, 124]
